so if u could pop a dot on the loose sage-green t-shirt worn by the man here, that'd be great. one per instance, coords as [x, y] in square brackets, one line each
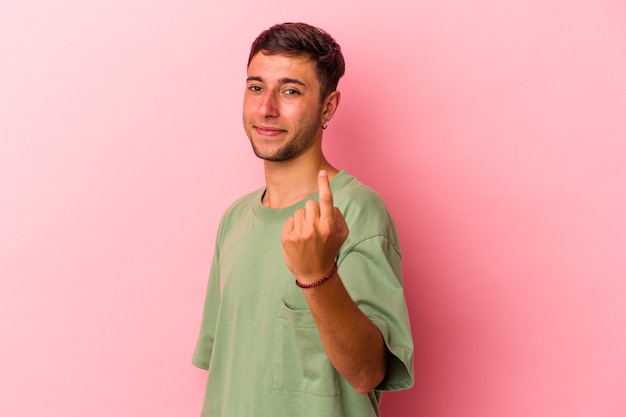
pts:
[258, 339]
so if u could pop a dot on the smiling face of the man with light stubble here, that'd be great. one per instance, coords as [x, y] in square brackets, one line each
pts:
[281, 106]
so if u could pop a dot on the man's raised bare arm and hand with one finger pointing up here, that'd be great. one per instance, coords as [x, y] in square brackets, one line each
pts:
[311, 240]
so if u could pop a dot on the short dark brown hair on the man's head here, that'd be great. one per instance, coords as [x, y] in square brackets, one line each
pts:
[300, 39]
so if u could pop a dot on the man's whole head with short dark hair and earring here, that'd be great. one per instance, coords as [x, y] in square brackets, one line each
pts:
[293, 71]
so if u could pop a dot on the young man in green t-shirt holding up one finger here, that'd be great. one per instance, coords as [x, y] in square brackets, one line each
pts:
[305, 312]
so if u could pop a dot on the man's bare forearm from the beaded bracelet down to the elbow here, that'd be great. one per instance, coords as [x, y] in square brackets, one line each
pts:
[352, 342]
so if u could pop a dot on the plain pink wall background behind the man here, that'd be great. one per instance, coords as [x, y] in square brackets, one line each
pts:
[495, 131]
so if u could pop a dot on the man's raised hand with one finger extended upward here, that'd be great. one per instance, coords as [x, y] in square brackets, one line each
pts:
[313, 236]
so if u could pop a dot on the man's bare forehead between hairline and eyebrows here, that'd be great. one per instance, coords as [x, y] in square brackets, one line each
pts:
[277, 66]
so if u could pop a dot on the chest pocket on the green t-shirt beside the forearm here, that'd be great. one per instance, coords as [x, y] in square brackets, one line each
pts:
[301, 363]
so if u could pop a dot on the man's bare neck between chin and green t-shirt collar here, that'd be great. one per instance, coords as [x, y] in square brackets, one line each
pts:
[291, 181]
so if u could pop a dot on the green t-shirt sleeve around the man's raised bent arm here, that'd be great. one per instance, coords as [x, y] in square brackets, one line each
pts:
[371, 272]
